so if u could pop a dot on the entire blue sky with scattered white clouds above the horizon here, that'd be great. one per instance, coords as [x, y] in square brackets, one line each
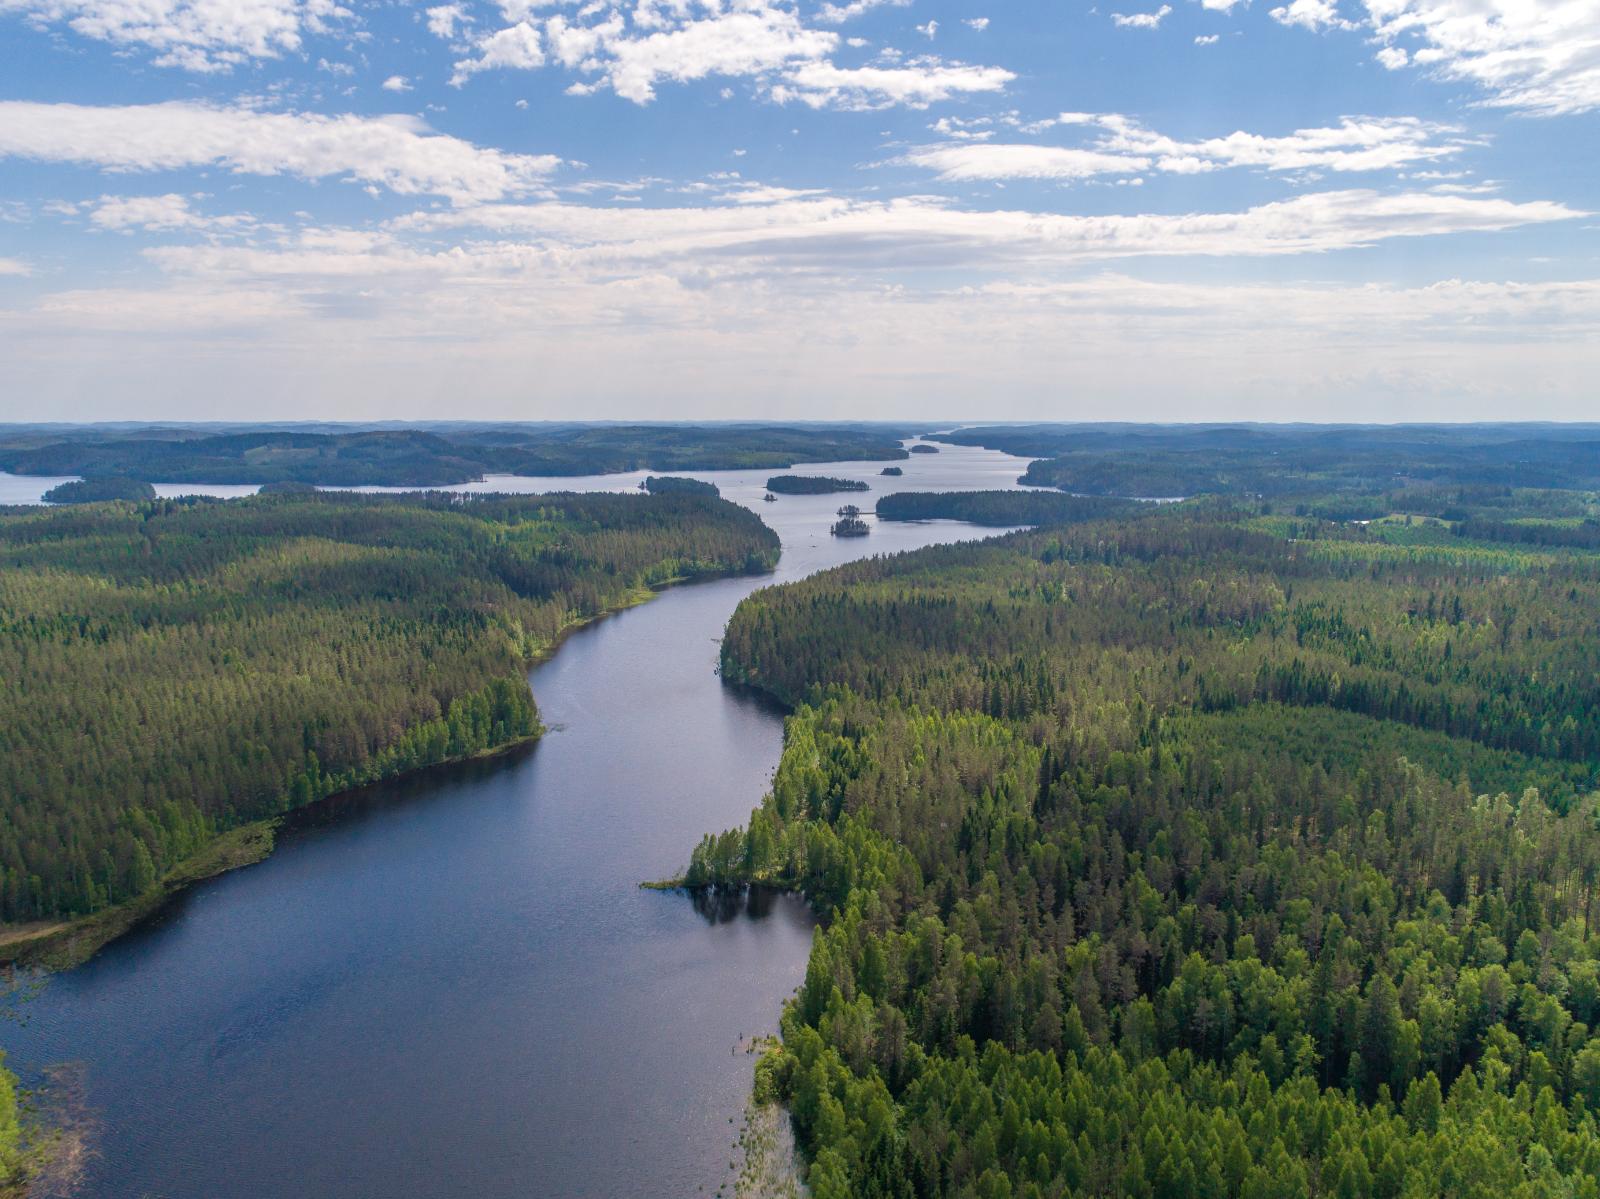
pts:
[1316, 211]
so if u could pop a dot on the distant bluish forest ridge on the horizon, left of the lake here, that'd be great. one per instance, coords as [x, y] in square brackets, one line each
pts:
[434, 455]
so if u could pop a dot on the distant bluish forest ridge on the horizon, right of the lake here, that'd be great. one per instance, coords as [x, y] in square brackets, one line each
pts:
[1172, 462]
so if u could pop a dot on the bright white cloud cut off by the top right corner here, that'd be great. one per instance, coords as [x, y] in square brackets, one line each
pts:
[1540, 57]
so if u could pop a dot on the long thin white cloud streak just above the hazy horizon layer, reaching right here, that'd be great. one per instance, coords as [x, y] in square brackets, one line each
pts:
[862, 236]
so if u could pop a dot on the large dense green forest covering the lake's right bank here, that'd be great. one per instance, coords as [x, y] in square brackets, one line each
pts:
[1225, 849]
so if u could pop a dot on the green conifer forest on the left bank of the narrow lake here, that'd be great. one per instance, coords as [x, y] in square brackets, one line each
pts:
[182, 668]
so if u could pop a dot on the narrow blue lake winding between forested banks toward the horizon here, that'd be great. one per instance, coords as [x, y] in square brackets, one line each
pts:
[452, 985]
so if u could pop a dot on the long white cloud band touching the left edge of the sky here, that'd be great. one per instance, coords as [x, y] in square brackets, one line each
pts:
[398, 153]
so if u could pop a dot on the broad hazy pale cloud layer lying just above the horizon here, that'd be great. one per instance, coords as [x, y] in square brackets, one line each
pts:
[367, 321]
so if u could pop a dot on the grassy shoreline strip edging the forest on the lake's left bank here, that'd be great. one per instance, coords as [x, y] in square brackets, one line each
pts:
[62, 945]
